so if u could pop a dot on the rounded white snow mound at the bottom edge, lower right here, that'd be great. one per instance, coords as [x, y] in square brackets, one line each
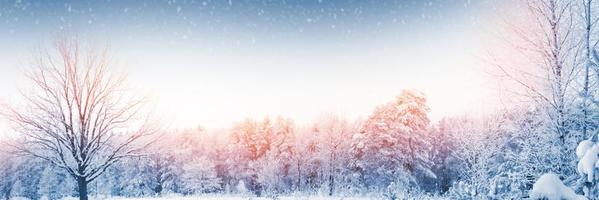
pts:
[550, 187]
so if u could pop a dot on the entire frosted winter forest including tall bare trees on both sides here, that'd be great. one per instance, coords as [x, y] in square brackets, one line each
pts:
[79, 132]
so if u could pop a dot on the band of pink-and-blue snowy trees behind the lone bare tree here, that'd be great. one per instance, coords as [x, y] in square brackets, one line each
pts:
[395, 153]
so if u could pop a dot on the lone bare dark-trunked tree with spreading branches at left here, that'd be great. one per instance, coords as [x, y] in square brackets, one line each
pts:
[79, 116]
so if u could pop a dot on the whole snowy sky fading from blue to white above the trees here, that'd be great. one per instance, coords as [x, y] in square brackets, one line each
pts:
[212, 63]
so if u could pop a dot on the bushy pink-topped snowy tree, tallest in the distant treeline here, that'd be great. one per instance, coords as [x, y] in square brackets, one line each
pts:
[393, 143]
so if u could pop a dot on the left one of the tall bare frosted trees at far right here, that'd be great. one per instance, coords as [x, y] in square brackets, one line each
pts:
[551, 49]
